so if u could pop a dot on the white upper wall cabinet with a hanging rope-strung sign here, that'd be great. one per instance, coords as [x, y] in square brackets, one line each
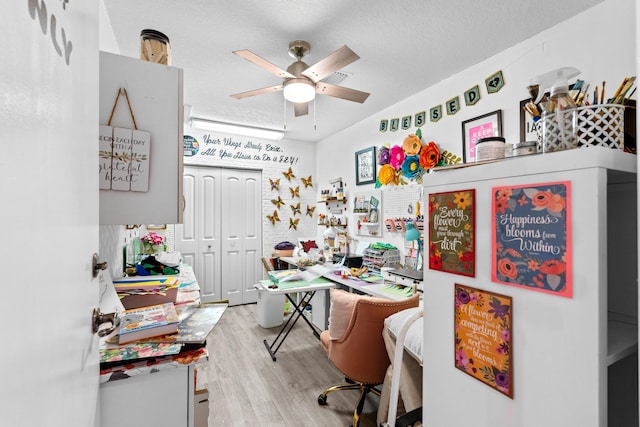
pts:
[155, 94]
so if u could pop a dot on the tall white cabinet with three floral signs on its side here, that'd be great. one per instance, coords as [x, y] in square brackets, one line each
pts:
[570, 355]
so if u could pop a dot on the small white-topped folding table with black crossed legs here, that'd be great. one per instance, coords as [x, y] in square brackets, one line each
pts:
[308, 290]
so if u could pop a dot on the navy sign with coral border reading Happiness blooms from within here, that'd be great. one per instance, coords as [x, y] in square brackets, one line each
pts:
[532, 237]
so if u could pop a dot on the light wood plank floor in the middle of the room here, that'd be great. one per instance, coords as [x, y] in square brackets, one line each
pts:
[247, 388]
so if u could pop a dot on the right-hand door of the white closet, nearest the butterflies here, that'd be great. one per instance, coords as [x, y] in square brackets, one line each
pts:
[241, 234]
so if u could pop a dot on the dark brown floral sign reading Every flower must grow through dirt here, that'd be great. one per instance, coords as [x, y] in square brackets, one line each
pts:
[452, 232]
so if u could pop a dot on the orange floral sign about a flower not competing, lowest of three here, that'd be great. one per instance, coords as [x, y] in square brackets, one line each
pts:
[483, 341]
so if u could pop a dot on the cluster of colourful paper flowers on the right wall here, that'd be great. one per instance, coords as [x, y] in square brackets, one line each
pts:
[410, 161]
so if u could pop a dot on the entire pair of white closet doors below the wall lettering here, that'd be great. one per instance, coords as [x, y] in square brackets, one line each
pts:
[221, 236]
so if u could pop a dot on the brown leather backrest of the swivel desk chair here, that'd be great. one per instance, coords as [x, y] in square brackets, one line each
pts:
[360, 354]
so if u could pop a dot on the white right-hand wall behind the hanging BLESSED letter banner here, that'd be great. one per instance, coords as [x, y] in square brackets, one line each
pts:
[600, 42]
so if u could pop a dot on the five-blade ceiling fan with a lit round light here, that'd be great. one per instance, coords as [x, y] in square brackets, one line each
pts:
[301, 82]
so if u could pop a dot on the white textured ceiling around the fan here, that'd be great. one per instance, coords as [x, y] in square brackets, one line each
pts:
[404, 47]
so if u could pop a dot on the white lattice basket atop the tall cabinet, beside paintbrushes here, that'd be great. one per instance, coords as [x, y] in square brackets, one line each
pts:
[595, 126]
